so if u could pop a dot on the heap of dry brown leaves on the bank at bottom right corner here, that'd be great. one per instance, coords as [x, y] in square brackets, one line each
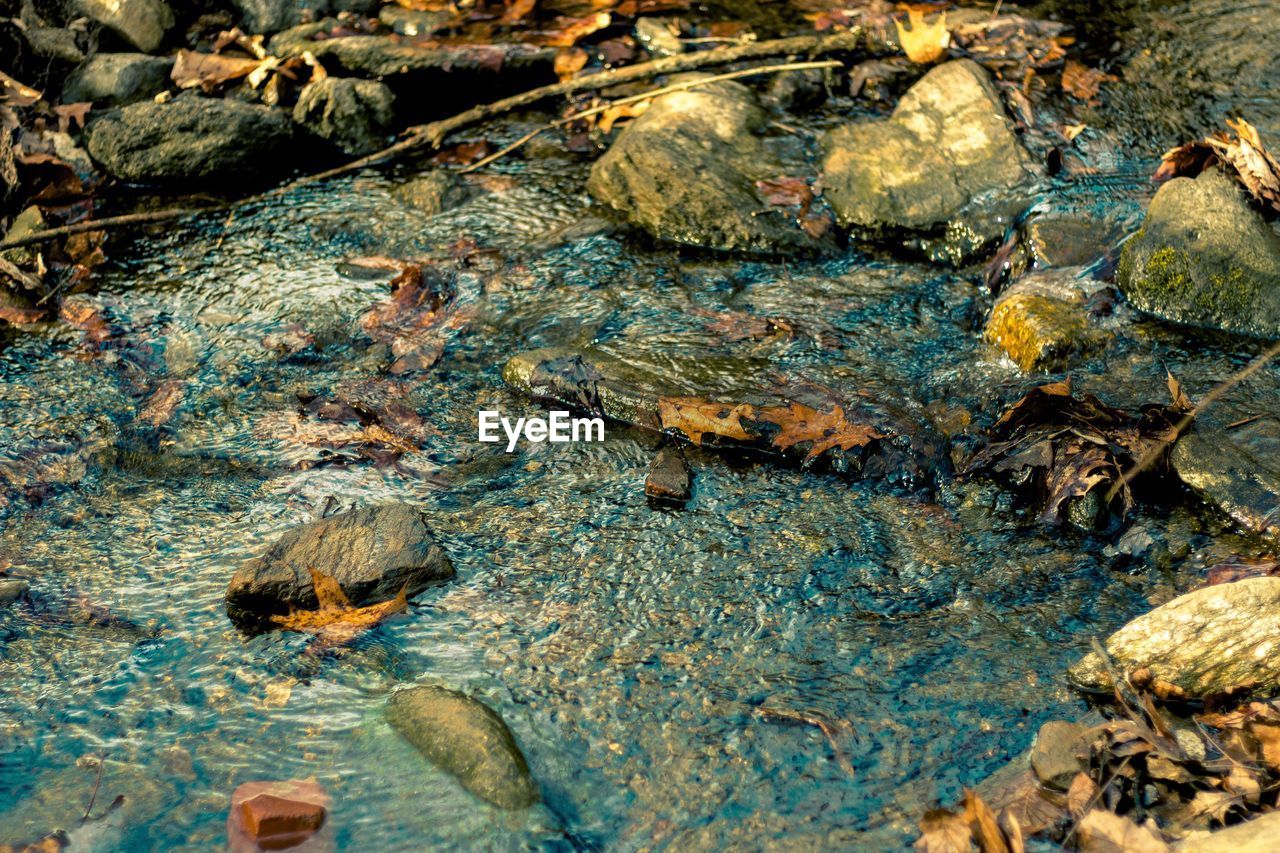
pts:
[1145, 781]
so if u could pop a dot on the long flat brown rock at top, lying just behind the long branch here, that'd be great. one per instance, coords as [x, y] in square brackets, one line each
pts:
[394, 57]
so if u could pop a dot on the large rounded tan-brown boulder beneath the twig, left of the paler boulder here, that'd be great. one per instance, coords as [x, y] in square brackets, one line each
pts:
[687, 172]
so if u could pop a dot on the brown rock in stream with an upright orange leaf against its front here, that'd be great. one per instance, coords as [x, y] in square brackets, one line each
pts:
[373, 554]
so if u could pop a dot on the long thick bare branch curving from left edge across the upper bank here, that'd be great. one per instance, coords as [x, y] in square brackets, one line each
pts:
[433, 134]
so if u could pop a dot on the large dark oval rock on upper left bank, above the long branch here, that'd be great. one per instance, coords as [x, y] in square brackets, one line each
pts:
[193, 140]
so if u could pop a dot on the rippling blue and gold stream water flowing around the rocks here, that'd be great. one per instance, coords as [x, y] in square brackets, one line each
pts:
[647, 660]
